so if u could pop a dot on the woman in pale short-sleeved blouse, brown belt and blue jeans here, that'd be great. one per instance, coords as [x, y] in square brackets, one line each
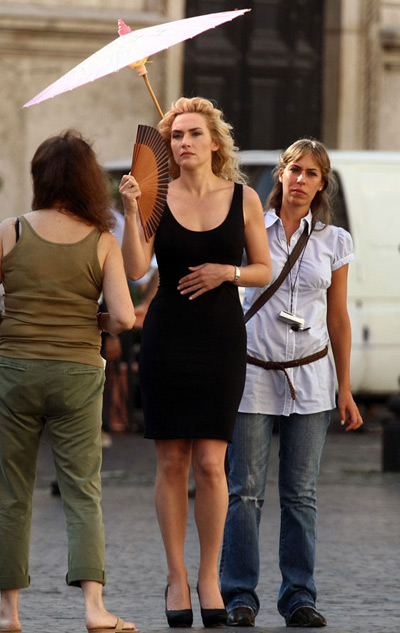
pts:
[306, 312]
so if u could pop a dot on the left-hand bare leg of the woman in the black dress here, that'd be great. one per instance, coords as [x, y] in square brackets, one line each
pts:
[171, 498]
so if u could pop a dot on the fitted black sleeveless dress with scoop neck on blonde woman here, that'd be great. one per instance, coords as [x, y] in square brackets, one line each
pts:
[193, 353]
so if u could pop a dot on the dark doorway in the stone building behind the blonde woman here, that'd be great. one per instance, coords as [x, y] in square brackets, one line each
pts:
[263, 69]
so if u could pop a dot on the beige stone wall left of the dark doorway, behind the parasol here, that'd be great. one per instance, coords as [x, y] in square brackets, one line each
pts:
[41, 40]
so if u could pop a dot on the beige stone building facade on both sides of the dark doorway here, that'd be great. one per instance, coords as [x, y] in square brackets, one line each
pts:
[41, 40]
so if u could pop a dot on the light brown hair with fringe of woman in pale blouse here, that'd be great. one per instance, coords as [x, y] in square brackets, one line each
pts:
[321, 203]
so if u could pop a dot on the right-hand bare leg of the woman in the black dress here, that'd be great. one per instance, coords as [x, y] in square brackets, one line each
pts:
[211, 506]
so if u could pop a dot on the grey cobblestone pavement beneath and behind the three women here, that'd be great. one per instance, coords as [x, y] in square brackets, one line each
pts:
[357, 569]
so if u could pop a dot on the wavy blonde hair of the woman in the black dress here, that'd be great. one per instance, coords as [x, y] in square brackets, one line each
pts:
[225, 160]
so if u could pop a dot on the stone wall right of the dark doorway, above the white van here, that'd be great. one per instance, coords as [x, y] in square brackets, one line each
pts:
[362, 74]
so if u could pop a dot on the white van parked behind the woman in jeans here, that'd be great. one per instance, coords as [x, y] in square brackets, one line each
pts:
[368, 206]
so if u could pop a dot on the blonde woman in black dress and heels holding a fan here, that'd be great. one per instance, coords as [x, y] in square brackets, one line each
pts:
[193, 352]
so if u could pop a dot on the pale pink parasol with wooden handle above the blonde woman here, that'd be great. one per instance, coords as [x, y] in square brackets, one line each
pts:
[133, 48]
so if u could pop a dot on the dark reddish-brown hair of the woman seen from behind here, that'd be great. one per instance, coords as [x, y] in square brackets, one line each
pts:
[66, 175]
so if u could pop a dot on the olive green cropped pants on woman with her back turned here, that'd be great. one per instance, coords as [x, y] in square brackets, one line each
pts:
[67, 398]
